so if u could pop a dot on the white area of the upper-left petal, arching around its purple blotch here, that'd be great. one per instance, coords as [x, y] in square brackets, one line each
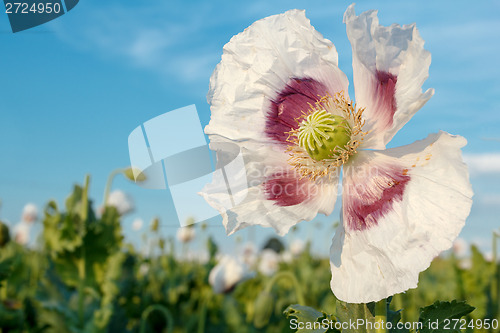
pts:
[257, 64]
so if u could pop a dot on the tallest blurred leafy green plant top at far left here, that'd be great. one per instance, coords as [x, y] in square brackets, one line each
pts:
[75, 236]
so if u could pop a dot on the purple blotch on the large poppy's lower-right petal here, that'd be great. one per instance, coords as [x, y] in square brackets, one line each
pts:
[369, 198]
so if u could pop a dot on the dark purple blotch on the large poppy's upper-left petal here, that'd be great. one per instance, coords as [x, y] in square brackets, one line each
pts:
[290, 103]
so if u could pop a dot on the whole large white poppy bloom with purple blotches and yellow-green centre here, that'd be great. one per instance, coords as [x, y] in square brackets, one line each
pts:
[279, 95]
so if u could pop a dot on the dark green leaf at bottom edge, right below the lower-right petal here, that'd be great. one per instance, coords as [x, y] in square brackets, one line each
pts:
[439, 317]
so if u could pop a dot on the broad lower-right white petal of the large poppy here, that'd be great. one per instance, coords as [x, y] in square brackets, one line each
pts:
[386, 257]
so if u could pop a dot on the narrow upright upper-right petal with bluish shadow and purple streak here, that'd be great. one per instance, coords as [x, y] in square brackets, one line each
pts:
[390, 66]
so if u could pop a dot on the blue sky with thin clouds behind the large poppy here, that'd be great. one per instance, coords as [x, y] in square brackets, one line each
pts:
[72, 90]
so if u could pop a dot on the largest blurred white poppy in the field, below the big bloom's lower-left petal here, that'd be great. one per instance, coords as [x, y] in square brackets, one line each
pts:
[227, 273]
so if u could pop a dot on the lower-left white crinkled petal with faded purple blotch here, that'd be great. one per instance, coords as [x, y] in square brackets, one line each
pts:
[269, 194]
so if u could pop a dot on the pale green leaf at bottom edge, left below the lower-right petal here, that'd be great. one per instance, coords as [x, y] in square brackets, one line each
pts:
[309, 320]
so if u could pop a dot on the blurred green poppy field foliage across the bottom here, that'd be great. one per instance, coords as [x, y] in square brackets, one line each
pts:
[84, 278]
